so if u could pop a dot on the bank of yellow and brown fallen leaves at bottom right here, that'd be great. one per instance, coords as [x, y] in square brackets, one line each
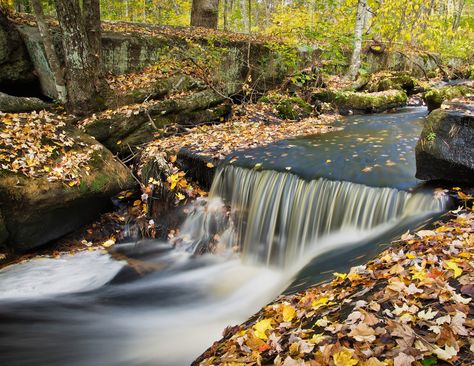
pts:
[411, 305]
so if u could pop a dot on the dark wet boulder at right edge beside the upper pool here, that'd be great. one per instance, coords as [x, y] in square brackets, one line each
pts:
[445, 150]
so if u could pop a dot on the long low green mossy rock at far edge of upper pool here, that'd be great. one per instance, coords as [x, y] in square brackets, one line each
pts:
[348, 102]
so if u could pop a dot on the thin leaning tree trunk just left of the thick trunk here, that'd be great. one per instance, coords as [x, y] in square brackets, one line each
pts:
[51, 54]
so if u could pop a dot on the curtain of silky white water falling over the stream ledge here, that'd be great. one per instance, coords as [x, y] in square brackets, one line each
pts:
[277, 217]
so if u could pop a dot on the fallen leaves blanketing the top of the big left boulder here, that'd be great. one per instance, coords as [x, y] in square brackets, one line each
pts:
[38, 144]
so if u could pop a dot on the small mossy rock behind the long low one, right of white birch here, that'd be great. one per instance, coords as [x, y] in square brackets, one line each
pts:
[391, 80]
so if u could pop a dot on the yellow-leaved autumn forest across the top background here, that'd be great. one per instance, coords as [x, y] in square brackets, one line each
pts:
[442, 27]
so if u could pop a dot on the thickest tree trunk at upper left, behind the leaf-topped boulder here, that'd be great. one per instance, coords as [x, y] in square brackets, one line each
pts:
[82, 72]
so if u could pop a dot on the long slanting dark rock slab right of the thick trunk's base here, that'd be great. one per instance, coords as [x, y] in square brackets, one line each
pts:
[127, 128]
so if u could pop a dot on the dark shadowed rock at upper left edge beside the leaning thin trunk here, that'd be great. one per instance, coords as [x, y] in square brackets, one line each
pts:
[15, 64]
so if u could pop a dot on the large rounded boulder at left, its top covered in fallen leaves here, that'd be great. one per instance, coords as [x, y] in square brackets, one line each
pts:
[53, 179]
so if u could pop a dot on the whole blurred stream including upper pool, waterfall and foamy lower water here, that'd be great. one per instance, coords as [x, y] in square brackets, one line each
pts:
[259, 233]
